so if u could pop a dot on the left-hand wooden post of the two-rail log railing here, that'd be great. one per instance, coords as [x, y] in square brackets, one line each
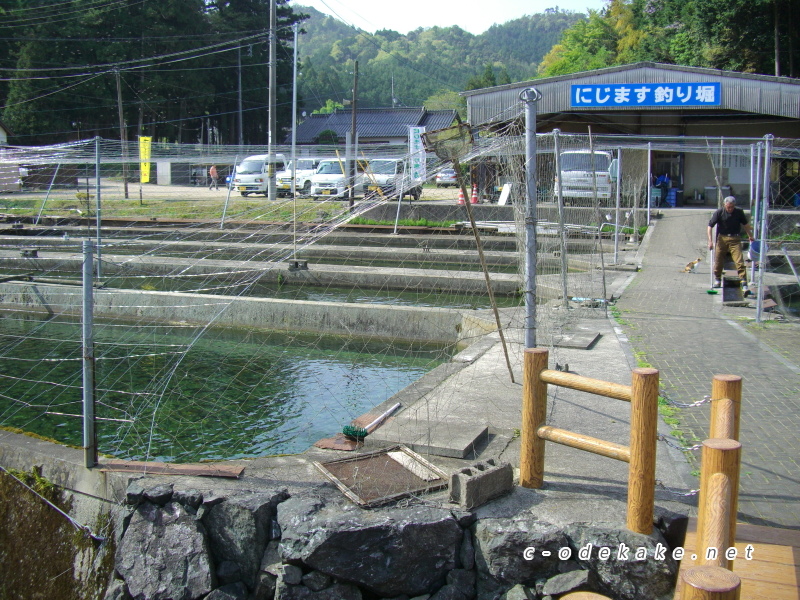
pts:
[534, 413]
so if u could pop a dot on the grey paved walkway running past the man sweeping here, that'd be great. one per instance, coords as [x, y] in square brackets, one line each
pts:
[689, 335]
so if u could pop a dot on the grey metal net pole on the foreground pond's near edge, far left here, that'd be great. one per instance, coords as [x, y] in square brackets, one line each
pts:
[89, 437]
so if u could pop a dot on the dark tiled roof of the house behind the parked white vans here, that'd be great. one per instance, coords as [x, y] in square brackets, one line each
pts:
[373, 122]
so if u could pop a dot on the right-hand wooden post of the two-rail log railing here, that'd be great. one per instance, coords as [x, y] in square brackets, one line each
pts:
[642, 471]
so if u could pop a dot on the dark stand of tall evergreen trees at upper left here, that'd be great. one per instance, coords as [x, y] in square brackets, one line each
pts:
[177, 61]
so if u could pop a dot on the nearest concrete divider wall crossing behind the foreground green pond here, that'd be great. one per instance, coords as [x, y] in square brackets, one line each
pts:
[403, 323]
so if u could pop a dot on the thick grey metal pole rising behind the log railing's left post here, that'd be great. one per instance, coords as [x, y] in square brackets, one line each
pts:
[530, 96]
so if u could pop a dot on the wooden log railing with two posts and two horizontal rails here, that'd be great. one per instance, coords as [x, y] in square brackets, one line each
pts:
[640, 454]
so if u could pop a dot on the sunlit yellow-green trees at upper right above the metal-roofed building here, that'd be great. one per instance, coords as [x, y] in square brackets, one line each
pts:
[751, 36]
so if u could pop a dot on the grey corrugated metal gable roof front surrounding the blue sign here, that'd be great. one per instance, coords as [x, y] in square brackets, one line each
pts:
[741, 92]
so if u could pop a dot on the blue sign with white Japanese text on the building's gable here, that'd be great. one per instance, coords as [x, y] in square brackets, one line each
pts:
[647, 94]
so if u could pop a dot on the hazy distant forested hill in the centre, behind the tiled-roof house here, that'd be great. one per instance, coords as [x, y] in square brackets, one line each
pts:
[425, 66]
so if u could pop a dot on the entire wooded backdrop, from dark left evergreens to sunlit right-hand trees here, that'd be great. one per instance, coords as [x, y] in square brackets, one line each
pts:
[179, 70]
